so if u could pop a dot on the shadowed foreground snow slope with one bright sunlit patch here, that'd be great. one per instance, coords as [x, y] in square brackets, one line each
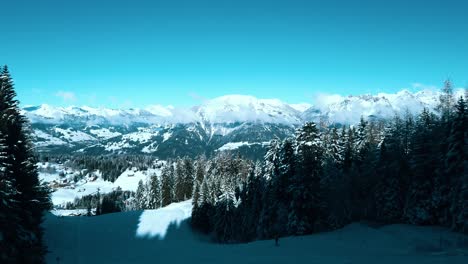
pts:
[162, 236]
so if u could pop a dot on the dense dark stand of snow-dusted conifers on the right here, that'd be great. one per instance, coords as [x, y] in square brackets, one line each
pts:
[409, 170]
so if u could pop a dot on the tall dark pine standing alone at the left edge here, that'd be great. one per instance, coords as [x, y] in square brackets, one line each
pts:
[32, 198]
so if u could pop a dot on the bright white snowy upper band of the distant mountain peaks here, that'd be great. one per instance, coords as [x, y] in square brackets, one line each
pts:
[245, 108]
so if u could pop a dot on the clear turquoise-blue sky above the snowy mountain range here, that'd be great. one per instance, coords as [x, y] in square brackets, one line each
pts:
[135, 53]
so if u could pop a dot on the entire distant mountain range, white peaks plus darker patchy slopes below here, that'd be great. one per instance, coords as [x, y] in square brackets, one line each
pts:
[232, 122]
